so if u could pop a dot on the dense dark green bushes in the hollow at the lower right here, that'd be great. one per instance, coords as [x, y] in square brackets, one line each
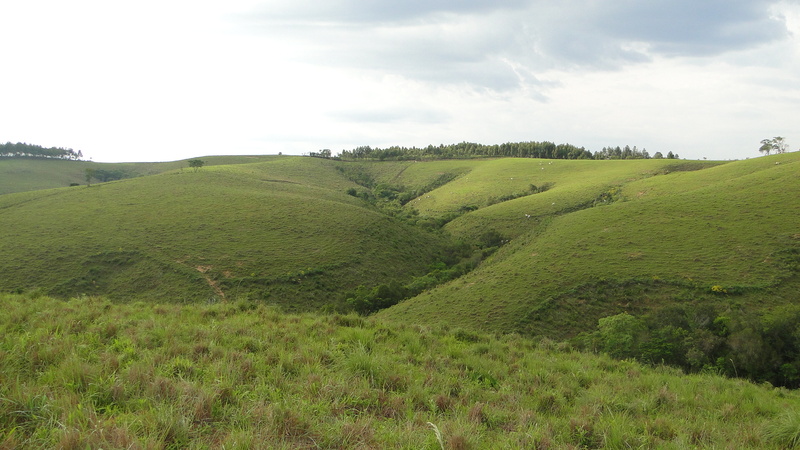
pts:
[736, 343]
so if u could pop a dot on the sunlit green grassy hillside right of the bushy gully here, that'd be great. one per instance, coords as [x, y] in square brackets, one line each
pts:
[602, 241]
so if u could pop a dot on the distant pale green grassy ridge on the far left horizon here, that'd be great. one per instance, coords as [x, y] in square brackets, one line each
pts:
[29, 174]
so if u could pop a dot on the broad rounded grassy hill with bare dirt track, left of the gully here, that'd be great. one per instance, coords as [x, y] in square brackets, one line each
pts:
[283, 231]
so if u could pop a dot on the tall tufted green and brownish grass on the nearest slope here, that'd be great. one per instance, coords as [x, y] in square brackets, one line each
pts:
[91, 373]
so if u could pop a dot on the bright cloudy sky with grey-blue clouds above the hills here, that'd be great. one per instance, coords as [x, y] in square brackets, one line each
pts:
[173, 79]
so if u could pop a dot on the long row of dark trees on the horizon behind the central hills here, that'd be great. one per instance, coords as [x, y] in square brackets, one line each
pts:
[531, 149]
